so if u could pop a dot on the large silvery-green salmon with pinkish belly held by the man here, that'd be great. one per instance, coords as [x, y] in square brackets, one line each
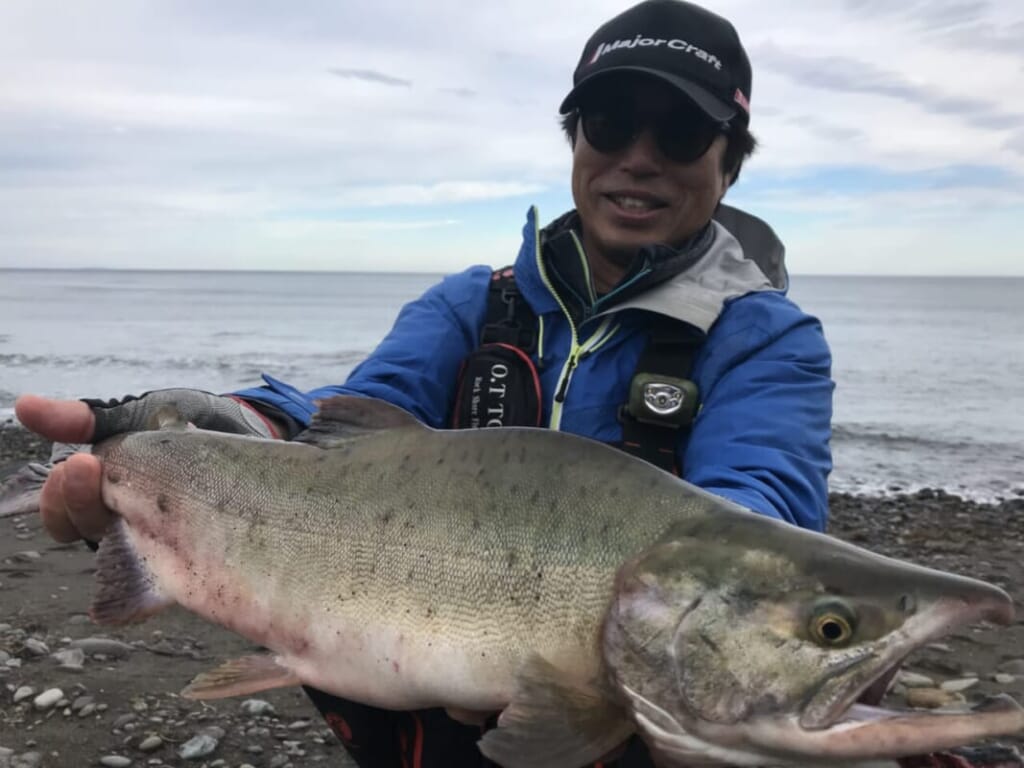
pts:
[582, 592]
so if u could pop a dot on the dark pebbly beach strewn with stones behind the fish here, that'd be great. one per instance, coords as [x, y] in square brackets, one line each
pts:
[73, 695]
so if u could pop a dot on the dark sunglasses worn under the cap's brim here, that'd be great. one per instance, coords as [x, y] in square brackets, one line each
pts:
[682, 134]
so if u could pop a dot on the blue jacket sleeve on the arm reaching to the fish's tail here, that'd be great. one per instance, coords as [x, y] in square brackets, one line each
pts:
[416, 366]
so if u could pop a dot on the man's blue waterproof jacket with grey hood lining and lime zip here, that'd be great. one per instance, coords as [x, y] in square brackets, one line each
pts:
[761, 437]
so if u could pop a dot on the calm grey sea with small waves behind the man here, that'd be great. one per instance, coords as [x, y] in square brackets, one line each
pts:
[930, 372]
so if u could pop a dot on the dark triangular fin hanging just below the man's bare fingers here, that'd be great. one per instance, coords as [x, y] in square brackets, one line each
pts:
[126, 588]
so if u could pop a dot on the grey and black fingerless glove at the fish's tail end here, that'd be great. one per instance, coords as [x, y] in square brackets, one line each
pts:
[206, 411]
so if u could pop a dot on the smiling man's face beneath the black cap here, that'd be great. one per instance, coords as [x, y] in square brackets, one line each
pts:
[636, 195]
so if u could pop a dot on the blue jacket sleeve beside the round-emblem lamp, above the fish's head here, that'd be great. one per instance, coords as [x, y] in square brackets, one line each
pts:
[761, 439]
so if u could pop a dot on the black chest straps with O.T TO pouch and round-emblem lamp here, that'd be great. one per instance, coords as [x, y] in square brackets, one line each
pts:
[499, 385]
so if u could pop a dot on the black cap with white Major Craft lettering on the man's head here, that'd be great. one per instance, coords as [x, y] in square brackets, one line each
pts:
[682, 45]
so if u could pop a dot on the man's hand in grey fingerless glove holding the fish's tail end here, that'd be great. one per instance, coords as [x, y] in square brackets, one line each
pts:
[70, 501]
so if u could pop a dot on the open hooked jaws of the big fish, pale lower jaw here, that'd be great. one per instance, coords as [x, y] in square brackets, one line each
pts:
[841, 719]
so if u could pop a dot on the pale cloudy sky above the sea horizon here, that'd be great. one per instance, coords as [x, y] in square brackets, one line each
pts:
[398, 136]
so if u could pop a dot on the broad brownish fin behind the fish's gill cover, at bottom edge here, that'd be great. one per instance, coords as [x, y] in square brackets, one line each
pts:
[556, 721]
